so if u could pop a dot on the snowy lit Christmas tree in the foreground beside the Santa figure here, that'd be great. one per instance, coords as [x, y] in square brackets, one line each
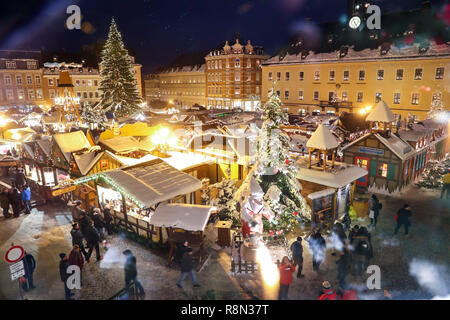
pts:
[275, 174]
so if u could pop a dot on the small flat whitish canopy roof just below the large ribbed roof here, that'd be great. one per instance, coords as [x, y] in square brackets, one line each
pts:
[188, 217]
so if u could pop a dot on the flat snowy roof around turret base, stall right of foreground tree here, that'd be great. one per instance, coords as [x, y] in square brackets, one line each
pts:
[340, 176]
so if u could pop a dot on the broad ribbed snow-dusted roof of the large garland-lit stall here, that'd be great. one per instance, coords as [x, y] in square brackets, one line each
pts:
[153, 182]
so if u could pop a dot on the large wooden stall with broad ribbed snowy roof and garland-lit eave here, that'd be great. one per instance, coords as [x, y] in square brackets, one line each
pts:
[133, 193]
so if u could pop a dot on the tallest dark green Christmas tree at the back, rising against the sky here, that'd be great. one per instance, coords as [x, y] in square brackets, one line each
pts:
[119, 87]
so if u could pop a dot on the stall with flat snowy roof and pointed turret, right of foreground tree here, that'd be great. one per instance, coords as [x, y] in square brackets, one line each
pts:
[327, 184]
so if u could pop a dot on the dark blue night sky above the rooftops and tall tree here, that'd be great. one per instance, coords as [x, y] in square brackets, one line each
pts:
[160, 30]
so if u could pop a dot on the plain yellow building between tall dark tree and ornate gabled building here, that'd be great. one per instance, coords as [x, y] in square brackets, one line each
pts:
[184, 86]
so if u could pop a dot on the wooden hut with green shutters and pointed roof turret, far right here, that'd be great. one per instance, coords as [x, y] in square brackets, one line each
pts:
[393, 160]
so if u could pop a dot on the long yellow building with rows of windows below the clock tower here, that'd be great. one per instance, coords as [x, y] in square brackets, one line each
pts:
[407, 79]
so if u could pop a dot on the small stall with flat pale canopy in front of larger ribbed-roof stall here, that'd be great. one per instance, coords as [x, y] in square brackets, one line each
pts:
[184, 222]
